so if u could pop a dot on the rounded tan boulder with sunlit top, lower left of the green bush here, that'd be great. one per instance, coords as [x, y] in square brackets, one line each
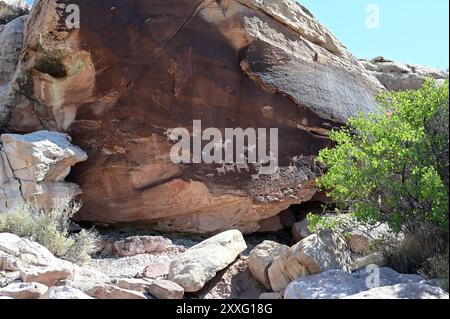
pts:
[314, 254]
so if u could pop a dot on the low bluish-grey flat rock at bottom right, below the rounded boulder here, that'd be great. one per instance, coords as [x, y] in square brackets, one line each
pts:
[335, 284]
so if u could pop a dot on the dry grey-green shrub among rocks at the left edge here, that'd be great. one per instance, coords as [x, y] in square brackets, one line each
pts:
[51, 229]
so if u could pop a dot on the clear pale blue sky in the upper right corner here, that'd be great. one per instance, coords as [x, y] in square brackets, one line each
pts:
[413, 31]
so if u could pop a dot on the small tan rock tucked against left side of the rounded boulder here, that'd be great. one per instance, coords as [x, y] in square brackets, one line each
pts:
[261, 258]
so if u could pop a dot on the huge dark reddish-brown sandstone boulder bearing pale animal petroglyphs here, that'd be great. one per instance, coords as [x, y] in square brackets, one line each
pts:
[135, 69]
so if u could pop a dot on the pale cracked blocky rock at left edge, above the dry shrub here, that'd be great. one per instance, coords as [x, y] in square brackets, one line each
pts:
[33, 168]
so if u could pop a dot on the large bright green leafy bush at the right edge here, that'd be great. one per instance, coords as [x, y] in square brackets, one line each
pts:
[392, 166]
